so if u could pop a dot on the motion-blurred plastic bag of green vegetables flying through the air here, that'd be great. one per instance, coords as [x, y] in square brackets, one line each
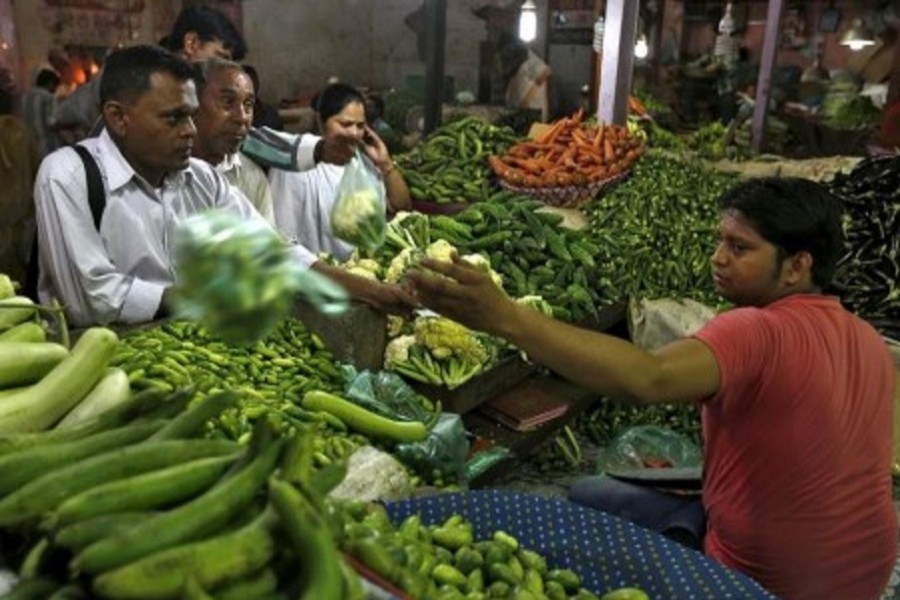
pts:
[239, 279]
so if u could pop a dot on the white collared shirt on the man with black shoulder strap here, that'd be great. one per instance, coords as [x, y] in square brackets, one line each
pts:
[119, 273]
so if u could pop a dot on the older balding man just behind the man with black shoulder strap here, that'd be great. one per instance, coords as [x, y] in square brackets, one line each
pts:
[226, 95]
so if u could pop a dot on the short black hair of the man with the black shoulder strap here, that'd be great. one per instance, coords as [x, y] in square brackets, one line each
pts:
[127, 72]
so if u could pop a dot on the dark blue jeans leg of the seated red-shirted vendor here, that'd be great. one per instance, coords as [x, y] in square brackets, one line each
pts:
[676, 516]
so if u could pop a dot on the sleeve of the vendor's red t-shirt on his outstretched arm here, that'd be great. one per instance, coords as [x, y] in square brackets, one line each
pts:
[740, 340]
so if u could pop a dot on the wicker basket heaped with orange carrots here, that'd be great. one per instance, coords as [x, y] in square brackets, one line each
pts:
[571, 163]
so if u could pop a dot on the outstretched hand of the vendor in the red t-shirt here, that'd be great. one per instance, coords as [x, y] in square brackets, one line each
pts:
[465, 294]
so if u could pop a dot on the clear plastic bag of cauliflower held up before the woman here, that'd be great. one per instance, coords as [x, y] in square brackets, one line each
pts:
[358, 214]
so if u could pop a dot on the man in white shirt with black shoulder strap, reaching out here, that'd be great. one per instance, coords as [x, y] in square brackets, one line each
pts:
[122, 271]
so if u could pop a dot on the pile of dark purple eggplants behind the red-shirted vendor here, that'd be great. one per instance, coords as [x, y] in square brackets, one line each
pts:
[868, 275]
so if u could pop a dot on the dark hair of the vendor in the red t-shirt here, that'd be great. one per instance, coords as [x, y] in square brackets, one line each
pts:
[795, 215]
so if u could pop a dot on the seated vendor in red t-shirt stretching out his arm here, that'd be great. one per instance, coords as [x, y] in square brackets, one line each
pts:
[796, 395]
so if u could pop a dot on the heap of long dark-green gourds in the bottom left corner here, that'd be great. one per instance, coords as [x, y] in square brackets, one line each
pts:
[143, 511]
